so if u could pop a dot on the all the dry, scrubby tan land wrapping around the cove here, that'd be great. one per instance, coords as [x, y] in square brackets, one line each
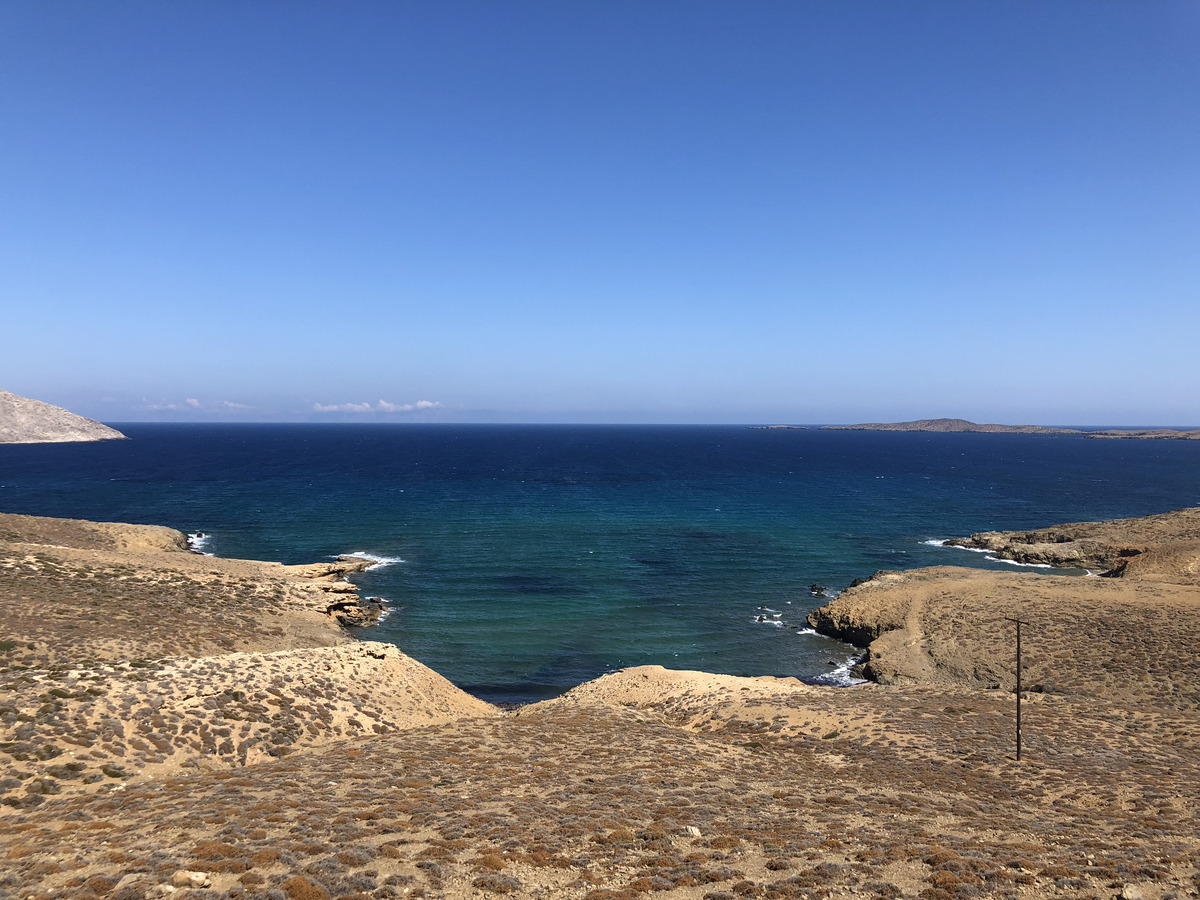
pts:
[173, 725]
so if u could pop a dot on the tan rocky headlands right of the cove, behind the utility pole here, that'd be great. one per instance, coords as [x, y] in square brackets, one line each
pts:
[949, 626]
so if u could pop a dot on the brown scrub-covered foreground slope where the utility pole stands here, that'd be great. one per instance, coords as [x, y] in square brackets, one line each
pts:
[913, 791]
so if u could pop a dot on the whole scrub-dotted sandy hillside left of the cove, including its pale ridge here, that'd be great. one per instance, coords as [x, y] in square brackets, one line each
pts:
[127, 656]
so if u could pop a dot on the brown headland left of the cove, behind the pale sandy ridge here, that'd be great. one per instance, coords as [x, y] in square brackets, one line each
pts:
[80, 591]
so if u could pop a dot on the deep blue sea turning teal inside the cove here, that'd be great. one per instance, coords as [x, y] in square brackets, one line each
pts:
[526, 560]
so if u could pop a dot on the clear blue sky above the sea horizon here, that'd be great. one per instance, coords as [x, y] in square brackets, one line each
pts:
[742, 212]
